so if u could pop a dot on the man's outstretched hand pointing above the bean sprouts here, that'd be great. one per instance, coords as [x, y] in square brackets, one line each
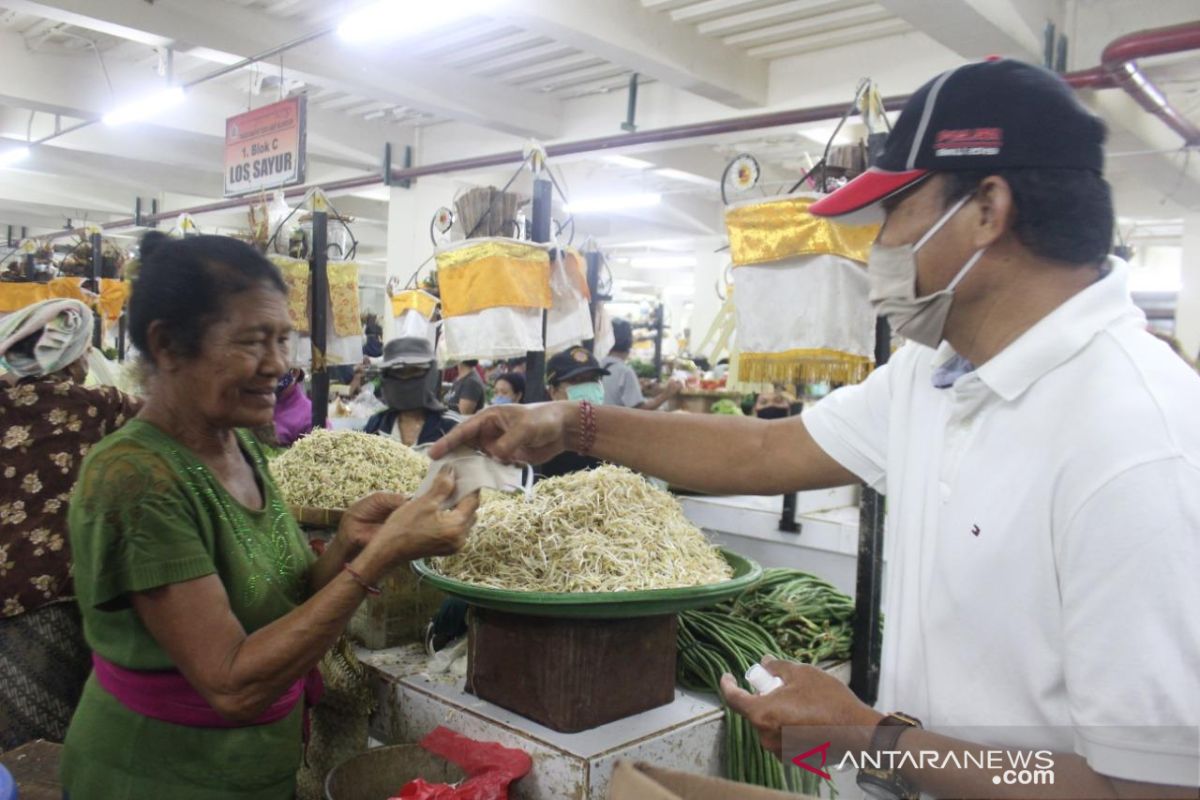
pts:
[531, 435]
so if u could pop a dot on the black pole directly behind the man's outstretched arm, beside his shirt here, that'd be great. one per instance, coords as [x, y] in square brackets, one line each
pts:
[865, 661]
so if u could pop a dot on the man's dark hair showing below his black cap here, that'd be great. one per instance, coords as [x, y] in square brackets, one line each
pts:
[1064, 215]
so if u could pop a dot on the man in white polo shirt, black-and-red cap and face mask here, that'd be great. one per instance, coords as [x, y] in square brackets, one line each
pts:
[1039, 449]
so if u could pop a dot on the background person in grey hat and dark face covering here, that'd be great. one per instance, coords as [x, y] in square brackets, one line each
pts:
[410, 389]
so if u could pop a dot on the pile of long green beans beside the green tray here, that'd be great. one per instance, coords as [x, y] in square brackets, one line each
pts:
[789, 615]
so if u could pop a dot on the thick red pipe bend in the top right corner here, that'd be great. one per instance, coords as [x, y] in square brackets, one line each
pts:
[1119, 68]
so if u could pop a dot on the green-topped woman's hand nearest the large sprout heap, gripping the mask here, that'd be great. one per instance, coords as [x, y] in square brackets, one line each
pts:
[419, 528]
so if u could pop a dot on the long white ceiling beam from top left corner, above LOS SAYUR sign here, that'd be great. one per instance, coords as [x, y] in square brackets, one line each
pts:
[220, 29]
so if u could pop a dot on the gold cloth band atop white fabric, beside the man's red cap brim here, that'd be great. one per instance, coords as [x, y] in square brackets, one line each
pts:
[781, 230]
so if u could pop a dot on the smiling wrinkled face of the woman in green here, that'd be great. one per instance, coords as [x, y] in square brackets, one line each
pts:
[232, 382]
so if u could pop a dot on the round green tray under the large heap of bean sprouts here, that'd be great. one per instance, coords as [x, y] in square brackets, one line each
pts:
[601, 605]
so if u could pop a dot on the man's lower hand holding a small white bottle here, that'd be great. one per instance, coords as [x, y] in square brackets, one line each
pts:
[809, 697]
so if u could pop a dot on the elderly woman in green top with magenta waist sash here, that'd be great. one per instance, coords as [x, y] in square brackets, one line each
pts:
[205, 609]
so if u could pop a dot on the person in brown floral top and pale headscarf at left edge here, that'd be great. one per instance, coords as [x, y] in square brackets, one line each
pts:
[49, 423]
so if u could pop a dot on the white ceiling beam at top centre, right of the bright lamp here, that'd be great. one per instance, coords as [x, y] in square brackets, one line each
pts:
[629, 34]
